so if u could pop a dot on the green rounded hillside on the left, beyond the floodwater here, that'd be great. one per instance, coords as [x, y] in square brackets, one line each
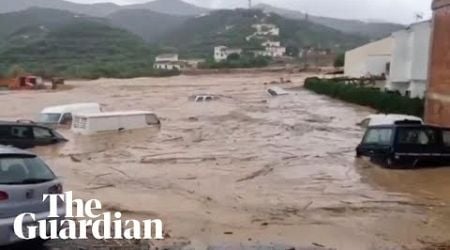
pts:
[81, 48]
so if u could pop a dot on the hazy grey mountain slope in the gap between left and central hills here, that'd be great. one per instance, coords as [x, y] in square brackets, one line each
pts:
[149, 25]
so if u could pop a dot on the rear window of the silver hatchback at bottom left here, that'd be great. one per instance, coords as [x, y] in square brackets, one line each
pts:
[24, 170]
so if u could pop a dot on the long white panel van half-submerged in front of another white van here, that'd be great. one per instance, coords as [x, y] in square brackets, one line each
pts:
[92, 123]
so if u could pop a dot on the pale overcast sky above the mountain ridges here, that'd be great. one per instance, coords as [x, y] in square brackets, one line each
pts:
[402, 11]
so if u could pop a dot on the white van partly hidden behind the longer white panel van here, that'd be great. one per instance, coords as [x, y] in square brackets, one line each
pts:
[62, 115]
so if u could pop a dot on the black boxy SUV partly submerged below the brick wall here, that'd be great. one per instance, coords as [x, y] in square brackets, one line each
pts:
[404, 144]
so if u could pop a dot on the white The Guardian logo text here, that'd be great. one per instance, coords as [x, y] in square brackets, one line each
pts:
[62, 223]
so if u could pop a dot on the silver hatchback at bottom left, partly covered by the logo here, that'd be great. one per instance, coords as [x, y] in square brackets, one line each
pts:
[24, 178]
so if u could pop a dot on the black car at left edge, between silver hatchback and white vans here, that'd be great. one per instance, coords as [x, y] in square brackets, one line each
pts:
[27, 135]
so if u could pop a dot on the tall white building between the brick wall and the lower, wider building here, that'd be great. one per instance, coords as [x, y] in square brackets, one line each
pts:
[410, 58]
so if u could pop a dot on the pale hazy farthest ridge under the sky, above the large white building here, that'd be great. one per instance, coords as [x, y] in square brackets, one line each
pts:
[372, 30]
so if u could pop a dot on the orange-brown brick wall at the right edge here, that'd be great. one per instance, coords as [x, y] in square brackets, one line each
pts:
[437, 110]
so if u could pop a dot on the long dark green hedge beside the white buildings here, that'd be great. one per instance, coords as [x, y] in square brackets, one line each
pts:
[371, 97]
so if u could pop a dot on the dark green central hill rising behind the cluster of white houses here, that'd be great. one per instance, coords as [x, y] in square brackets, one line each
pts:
[198, 36]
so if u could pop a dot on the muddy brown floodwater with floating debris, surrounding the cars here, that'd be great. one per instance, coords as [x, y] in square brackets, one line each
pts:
[247, 168]
